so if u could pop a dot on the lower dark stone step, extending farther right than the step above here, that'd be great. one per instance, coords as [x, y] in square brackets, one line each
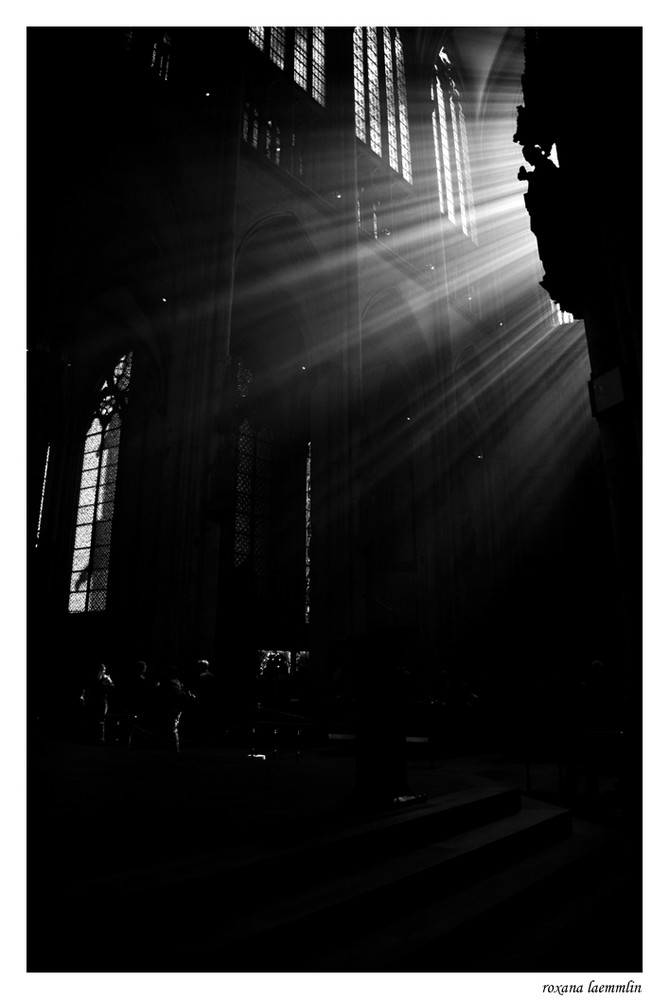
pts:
[299, 931]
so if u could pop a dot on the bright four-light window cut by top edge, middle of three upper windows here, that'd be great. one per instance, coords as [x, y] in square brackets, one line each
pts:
[380, 95]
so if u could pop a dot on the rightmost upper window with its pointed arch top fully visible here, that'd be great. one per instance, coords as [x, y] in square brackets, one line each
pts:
[452, 155]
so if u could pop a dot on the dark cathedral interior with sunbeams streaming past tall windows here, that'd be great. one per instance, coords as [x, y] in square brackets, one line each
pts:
[334, 382]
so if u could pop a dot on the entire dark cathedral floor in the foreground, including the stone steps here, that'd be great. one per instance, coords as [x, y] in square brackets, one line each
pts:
[221, 858]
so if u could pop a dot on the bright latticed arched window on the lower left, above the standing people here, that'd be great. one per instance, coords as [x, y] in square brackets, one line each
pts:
[97, 491]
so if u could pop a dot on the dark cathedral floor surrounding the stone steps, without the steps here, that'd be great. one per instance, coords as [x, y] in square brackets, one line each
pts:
[100, 815]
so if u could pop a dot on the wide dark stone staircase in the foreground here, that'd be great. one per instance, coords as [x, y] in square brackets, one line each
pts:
[422, 887]
